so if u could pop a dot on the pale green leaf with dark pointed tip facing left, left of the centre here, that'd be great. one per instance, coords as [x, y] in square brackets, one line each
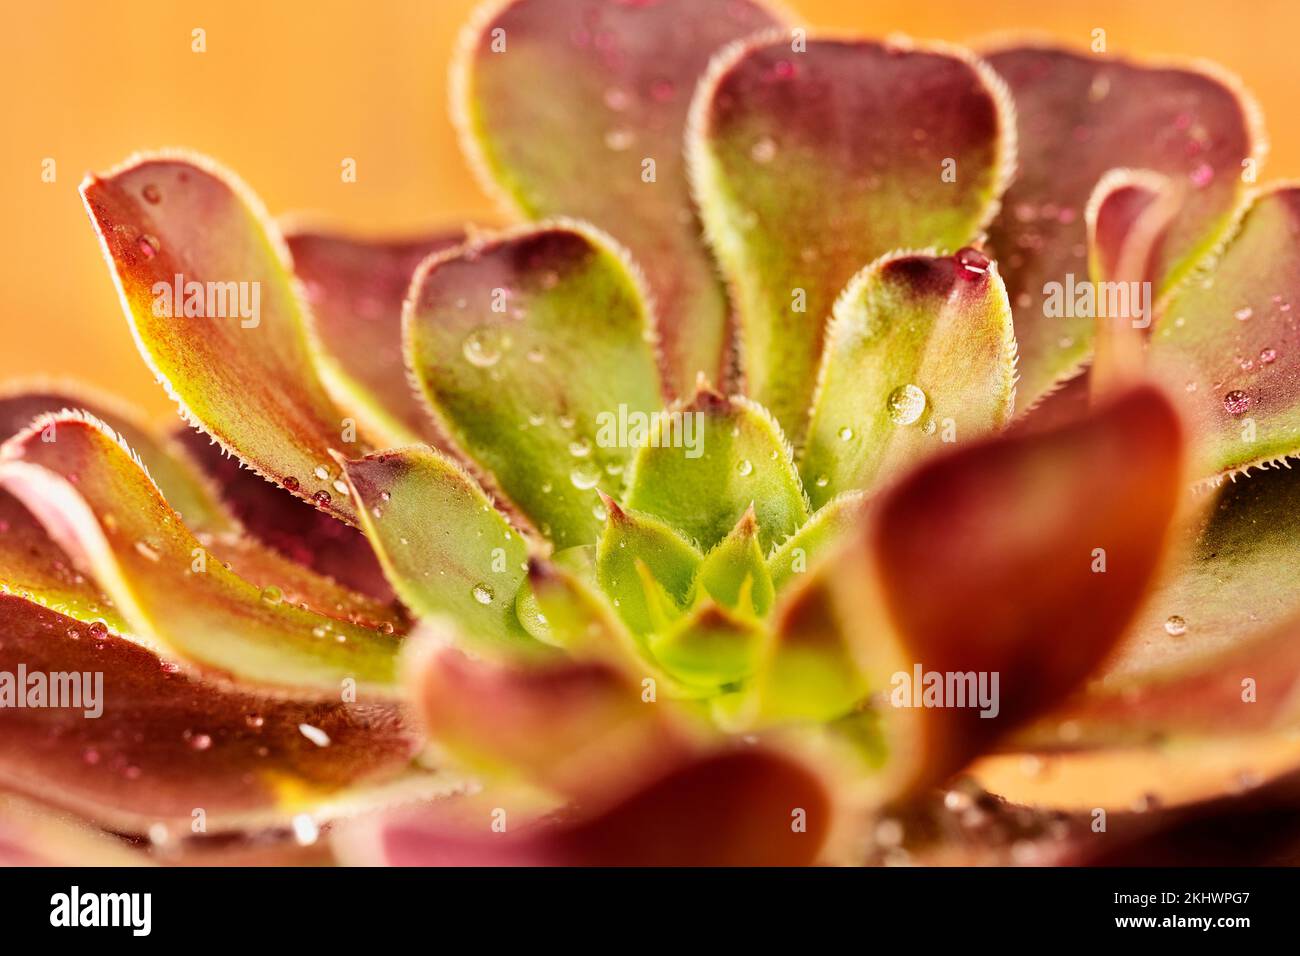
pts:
[443, 544]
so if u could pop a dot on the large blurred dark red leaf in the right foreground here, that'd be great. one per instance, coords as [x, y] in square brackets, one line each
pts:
[1024, 557]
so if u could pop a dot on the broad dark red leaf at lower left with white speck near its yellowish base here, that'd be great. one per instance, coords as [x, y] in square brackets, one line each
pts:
[166, 743]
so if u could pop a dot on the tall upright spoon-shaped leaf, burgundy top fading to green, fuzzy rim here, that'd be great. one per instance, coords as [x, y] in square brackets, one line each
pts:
[811, 166]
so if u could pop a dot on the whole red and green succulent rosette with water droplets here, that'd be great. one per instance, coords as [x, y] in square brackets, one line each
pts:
[664, 526]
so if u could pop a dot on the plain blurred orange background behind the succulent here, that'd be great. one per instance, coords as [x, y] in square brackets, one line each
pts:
[288, 89]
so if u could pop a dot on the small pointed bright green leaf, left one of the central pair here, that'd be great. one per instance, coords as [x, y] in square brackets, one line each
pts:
[630, 539]
